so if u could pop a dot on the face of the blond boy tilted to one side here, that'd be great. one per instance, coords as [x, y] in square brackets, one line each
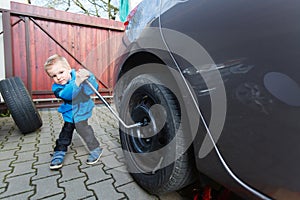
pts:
[60, 74]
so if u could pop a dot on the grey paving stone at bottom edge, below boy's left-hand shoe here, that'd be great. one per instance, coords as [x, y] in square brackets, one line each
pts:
[47, 187]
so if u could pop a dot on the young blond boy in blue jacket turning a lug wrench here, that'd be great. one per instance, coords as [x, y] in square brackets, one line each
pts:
[76, 108]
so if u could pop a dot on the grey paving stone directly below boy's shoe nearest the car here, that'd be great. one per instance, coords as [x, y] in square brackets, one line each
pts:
[95, 174]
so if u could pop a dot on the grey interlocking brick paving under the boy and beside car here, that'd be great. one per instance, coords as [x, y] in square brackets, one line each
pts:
[24, 163]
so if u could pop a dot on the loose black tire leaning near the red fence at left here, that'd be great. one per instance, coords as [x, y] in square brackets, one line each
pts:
[20, 105]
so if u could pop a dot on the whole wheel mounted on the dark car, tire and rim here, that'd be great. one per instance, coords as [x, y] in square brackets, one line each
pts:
[142, 153]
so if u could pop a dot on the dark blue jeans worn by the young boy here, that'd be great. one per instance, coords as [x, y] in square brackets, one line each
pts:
[85, 131]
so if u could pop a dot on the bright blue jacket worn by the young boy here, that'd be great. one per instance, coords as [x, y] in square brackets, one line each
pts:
[78, 104]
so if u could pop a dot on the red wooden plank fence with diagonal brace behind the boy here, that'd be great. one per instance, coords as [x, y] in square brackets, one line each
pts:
[37, 33]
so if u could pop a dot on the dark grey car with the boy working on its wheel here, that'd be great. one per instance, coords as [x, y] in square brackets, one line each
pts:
[215, 85]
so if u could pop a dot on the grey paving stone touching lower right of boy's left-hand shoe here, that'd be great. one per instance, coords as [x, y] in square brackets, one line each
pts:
[70, 172]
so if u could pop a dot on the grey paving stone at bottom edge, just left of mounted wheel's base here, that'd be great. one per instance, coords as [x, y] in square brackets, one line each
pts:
[133, 191]
